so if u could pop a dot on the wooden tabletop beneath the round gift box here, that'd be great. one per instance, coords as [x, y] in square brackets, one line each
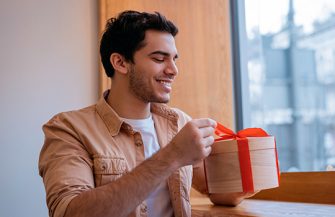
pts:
[202, 207]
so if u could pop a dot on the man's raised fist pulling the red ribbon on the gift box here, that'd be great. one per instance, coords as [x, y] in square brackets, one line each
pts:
[193, 142]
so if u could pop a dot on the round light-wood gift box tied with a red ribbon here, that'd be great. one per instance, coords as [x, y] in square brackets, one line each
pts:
[243, 162]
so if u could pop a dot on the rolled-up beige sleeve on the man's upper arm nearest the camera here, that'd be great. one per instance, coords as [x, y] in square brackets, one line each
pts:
[64, 165]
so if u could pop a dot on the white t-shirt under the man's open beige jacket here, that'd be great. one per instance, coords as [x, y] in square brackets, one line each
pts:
[158, 202]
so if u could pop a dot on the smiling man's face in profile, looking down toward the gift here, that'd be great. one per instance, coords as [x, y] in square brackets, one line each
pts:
[154, 68]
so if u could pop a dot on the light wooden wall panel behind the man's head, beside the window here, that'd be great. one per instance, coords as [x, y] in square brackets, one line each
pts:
[203, 87]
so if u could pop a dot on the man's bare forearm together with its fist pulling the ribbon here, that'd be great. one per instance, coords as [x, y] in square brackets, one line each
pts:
[120, 197]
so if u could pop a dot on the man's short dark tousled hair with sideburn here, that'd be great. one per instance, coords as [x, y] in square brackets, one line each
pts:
[125, 35]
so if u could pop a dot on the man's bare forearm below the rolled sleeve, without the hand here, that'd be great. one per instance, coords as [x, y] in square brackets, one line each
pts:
[122, 196]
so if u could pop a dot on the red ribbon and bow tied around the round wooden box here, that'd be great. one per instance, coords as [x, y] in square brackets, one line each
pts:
[243, 151]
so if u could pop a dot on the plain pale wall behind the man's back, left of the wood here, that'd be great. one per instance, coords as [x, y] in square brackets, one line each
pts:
[48, 64]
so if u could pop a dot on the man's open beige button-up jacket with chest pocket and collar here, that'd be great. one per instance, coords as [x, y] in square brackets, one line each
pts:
[91, 147]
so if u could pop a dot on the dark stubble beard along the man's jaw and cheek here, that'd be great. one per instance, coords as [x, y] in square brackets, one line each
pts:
[141, 89]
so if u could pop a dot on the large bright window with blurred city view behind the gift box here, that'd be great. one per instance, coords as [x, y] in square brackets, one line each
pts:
[285, 59]
